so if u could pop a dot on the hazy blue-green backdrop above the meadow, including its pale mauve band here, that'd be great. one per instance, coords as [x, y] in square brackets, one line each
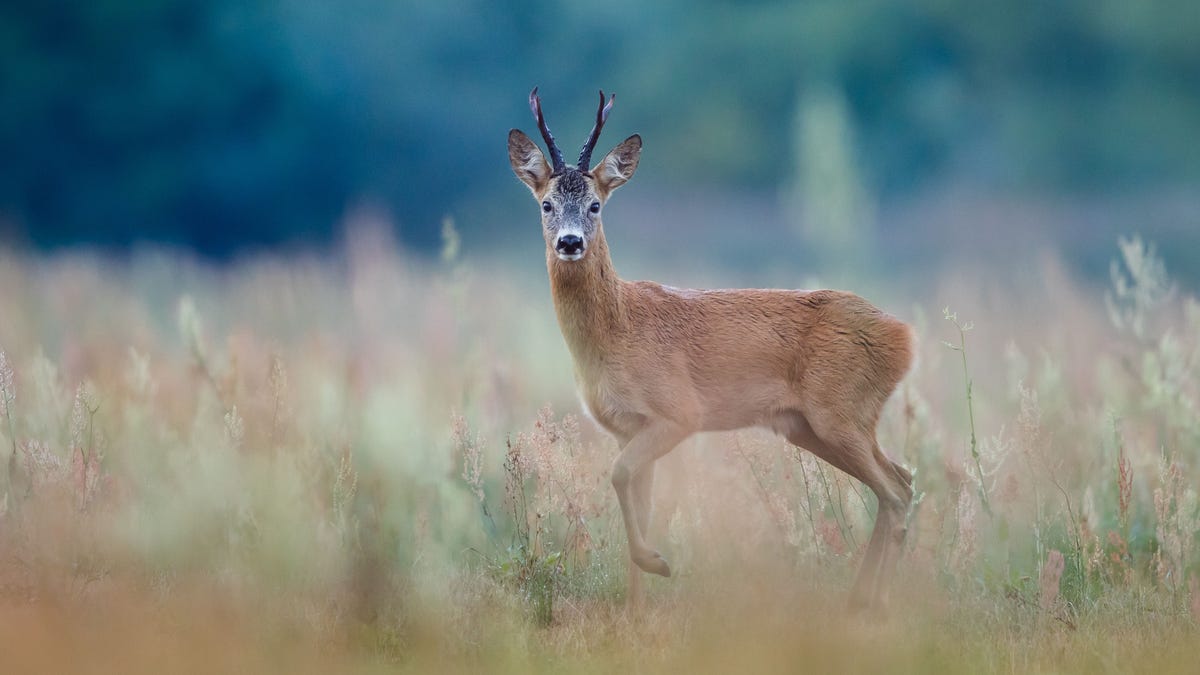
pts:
[778, 134]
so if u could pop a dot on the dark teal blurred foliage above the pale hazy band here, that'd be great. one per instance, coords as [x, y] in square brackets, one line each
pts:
[220, 124]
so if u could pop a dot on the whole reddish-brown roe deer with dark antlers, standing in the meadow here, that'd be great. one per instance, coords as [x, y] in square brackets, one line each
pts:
[657, 365]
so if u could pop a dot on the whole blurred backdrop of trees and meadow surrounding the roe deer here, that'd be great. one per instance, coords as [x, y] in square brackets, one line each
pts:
[281, 379]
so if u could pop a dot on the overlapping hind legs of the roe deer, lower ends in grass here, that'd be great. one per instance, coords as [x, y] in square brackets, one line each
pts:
[856, 453]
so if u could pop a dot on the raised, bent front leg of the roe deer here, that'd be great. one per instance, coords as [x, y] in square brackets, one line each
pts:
[643, 450]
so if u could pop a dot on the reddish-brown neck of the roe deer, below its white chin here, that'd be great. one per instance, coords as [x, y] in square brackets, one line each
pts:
[587, 301]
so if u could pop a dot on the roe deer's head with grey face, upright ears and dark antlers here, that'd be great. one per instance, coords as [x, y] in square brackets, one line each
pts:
[572, 198]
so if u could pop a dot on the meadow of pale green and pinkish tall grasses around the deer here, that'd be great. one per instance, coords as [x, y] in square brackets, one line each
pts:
[370, 462]
